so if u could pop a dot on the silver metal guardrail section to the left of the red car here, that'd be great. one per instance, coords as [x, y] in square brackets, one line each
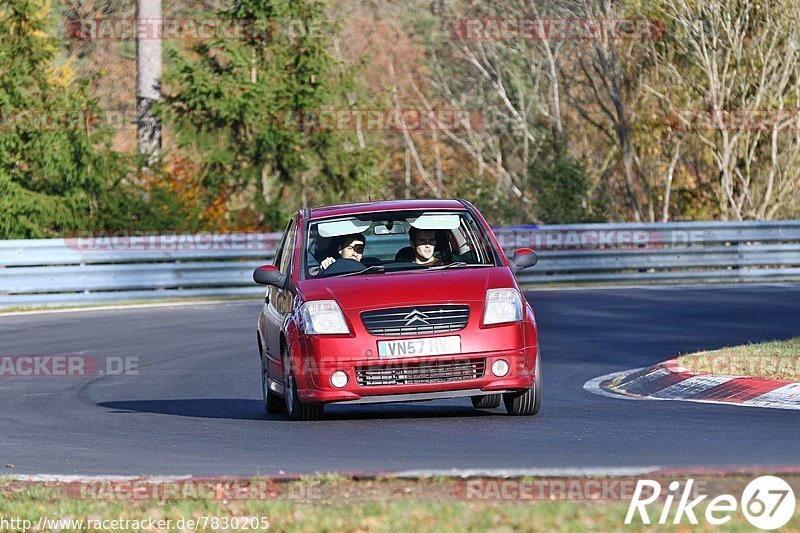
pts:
[114, 268]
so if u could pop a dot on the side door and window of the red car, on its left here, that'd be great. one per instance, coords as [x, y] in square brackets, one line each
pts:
[278, 301]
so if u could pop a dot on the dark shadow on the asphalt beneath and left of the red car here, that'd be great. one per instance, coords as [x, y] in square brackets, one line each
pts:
[241, 409]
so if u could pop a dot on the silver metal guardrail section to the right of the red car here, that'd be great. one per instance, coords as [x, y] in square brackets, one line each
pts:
[681, 252]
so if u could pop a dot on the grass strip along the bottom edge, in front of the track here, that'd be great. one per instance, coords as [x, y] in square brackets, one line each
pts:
[343, 504]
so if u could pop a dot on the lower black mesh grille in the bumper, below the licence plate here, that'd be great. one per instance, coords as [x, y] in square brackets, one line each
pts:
[428, 372]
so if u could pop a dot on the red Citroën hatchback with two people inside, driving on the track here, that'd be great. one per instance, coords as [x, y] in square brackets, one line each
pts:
[395, 301]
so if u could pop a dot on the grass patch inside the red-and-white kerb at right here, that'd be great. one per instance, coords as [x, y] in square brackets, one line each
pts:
[768, 360]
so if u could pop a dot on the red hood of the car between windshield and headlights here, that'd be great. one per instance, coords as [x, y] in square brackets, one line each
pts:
[411, 288]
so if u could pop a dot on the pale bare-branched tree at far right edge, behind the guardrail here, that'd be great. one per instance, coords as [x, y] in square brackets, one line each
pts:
[739, 65]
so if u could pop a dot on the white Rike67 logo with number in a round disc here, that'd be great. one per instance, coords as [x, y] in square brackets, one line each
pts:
[768, 503]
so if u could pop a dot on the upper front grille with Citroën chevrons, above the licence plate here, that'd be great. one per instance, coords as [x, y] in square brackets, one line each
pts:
[416, 320]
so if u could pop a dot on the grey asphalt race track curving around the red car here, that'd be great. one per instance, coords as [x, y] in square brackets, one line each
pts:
[195, 407]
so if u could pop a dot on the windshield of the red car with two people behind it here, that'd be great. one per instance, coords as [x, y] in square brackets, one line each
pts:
[380, 243]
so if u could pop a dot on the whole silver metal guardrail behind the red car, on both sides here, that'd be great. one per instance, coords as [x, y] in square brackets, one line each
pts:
[103, 269]
